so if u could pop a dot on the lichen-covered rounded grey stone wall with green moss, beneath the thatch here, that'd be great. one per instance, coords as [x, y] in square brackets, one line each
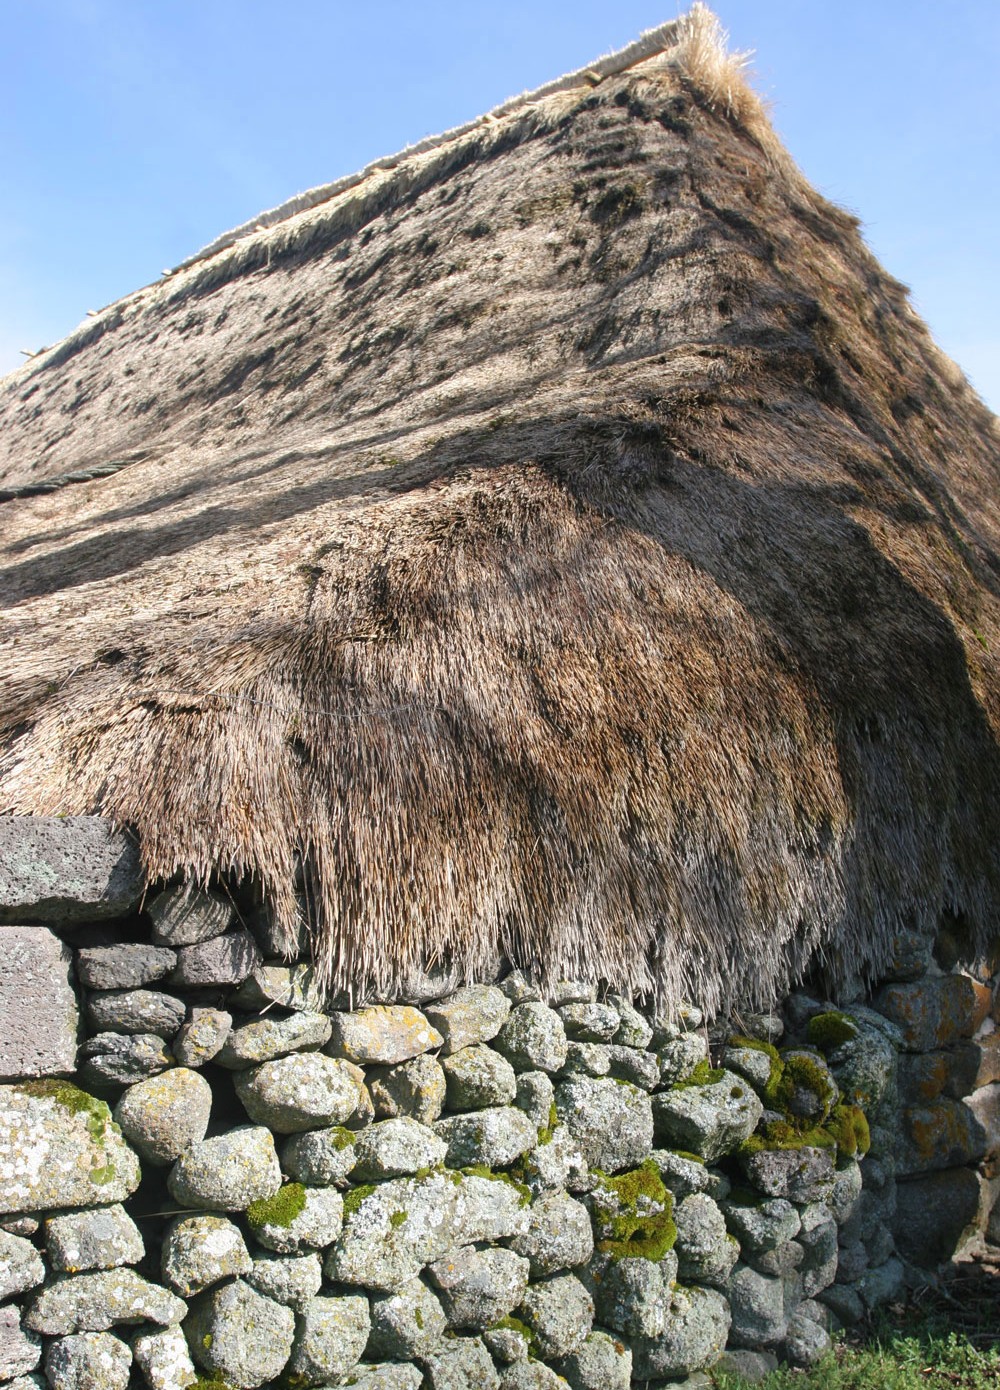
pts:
[211, 1174]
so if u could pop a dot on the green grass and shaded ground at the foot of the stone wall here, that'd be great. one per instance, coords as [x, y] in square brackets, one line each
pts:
[944, 1341]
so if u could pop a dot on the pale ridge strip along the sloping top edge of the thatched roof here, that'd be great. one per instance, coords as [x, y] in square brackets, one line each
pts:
[646, 47]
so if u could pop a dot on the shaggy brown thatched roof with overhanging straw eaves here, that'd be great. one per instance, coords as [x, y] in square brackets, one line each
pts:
[567, 539]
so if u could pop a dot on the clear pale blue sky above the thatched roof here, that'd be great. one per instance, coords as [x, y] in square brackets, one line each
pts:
[134, 131]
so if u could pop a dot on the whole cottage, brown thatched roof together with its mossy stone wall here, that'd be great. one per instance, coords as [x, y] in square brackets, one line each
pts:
[554, 562]
